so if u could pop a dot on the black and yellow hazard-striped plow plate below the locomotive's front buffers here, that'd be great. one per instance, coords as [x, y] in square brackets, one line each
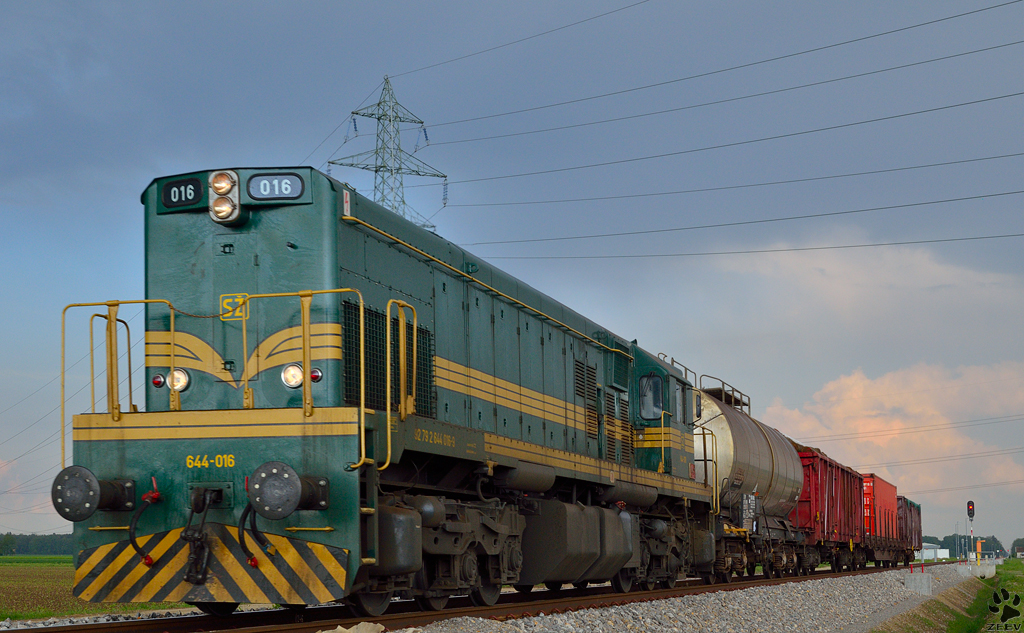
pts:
[297, 573]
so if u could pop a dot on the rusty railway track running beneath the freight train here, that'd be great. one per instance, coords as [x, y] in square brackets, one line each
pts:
[407, 614]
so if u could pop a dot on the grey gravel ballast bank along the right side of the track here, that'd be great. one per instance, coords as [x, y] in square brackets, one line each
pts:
[852, 605]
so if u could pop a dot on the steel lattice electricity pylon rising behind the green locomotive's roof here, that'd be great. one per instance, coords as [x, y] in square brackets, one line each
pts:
[389, 161]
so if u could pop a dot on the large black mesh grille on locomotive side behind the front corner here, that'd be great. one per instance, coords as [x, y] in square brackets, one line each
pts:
[376, 360]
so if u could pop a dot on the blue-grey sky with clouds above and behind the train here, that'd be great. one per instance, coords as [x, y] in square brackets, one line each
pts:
[820, 203]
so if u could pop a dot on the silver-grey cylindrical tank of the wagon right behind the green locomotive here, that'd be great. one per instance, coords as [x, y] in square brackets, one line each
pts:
[752, 459]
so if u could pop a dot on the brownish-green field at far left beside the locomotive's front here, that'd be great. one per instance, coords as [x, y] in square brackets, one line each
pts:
[35, 587]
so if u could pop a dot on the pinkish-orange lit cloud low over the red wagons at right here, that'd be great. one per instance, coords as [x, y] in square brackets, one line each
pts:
[870, 424]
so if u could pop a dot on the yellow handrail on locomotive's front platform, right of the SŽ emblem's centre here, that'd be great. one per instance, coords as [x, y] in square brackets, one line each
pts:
[306, 301]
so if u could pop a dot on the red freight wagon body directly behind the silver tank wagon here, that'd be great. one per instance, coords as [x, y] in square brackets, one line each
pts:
[830, 507]
